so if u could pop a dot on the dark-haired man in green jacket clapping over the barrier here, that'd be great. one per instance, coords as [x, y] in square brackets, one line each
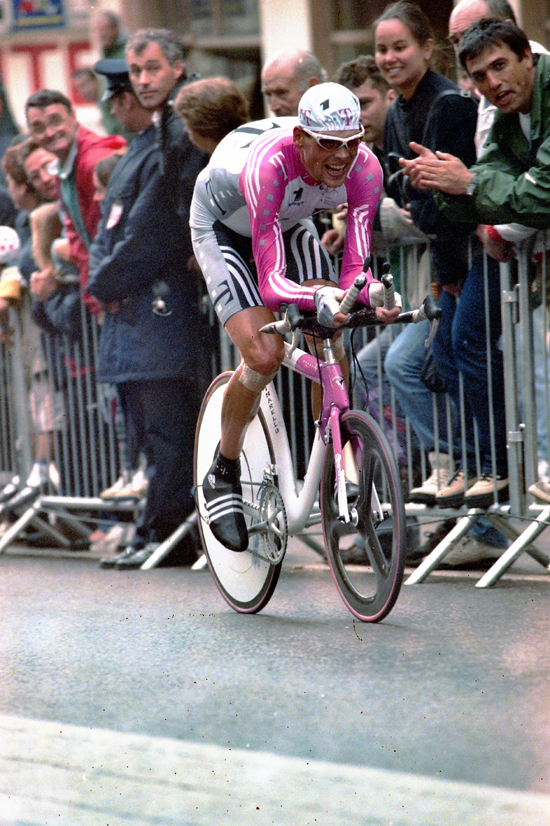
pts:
[511, 179]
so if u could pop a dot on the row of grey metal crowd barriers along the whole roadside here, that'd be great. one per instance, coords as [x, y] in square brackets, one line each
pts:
[52, 403]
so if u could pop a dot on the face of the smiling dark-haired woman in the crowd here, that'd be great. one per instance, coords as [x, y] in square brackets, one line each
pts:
[401, 58]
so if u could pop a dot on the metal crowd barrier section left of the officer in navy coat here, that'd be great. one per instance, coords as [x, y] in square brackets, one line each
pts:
[54, 410]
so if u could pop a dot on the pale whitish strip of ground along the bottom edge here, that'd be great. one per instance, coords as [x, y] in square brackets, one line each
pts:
[53, 773]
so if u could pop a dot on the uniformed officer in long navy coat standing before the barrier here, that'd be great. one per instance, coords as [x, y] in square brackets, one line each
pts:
[149, 344]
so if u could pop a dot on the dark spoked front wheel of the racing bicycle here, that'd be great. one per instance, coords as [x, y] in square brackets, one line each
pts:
[368, 582]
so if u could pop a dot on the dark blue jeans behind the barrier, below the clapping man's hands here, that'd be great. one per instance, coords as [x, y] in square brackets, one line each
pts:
[463, 326]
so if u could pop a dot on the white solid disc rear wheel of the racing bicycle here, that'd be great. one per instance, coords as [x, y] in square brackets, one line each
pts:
[245, 581]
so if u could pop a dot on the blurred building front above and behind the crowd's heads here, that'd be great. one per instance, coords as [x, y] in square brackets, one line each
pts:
[228, 37]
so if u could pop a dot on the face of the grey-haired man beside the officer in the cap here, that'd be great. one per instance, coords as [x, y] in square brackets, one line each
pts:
[152, 76]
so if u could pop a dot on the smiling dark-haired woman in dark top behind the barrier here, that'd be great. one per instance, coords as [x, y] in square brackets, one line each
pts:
[431, 110]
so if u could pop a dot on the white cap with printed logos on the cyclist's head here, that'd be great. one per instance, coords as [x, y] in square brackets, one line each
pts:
[329, 107]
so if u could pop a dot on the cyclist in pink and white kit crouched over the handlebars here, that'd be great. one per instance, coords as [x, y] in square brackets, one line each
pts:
[257, 247]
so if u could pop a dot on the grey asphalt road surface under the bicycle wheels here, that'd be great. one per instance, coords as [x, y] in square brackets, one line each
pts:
[454, 684]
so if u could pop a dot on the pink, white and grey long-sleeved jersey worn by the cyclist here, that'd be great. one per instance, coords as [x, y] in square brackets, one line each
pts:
[257, 185]
